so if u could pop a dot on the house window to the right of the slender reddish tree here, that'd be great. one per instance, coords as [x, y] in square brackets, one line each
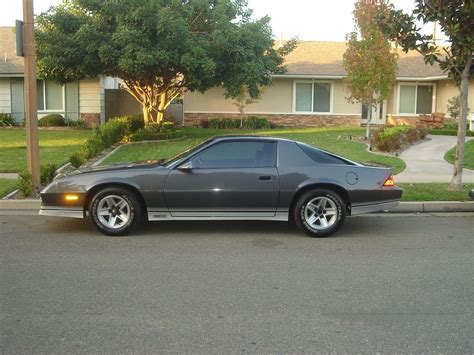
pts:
[416, 99]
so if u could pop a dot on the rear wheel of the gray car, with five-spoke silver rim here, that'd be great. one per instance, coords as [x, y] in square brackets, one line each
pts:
[304, 209]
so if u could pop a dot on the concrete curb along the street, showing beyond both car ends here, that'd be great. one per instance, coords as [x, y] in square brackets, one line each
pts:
[403, 207]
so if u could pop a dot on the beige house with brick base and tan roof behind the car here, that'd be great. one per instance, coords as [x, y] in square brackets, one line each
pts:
[312, 92]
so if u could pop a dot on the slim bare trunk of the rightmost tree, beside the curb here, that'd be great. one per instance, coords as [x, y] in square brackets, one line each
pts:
[456, 181]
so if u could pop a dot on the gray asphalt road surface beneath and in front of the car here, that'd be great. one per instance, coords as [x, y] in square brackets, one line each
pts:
[383, 284]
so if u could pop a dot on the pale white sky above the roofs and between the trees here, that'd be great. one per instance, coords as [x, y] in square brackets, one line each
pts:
[322, 20]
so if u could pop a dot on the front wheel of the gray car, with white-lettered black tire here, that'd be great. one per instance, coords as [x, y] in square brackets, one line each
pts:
[131, 209]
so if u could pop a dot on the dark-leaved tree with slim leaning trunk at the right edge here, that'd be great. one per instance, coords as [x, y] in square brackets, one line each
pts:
[456, 19]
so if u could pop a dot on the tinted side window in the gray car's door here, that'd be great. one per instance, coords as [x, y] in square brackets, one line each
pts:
[237, 154]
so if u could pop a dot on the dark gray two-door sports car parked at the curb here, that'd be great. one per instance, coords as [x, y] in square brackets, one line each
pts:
[226, 178]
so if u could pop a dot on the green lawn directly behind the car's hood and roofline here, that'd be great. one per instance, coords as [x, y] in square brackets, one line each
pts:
[332, 139]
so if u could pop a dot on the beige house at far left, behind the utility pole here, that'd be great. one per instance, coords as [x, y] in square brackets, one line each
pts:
[82, 99]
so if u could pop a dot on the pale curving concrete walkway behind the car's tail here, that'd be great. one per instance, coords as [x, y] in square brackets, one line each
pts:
[425, 162]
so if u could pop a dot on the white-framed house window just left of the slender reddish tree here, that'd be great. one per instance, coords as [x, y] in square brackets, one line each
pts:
[312, 97]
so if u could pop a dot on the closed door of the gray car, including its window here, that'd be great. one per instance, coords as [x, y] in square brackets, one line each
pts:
[231, 178]
